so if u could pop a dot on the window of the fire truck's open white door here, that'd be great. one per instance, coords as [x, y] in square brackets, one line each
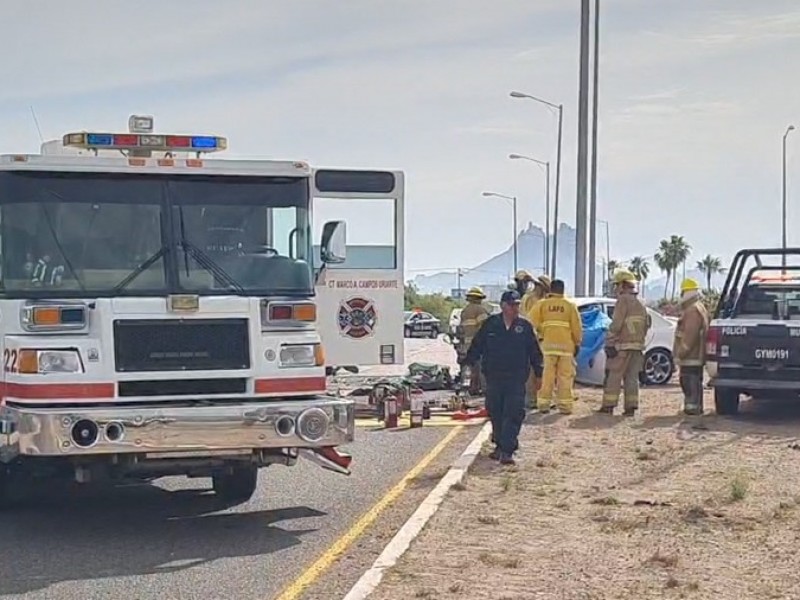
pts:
[371, 231]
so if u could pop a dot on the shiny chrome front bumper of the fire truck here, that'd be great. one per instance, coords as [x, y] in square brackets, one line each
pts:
[321, 422]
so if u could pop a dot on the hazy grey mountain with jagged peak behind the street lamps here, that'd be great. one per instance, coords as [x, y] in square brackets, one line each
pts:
[497, 271]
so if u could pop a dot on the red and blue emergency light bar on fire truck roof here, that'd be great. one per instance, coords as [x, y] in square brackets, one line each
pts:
[145, 141]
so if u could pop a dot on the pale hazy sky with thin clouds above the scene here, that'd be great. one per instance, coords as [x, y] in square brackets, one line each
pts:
[694, 100]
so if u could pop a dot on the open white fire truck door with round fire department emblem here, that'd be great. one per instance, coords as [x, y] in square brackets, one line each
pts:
[360, 301]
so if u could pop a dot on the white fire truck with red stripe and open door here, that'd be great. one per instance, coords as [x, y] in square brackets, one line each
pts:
[158, 311]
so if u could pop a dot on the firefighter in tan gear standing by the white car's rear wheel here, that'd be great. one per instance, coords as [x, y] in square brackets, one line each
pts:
[624, 346]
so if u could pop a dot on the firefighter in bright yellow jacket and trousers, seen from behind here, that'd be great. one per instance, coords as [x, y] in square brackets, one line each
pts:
[558, 325]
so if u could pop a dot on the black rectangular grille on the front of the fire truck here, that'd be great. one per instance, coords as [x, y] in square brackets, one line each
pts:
[181, 345]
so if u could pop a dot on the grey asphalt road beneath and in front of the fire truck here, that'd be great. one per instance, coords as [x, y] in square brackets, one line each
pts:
[172, 541]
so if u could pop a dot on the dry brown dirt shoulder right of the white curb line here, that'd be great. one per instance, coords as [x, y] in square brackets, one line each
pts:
[659, 506]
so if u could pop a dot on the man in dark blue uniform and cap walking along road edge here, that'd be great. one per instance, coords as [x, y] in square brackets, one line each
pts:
[508, 349]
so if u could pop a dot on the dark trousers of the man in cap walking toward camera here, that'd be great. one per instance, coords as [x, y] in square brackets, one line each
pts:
[505, 403]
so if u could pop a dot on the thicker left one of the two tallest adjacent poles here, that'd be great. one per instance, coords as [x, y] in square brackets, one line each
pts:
[581, 205]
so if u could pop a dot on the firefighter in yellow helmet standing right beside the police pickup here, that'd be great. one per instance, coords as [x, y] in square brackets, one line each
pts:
[689, 346]
